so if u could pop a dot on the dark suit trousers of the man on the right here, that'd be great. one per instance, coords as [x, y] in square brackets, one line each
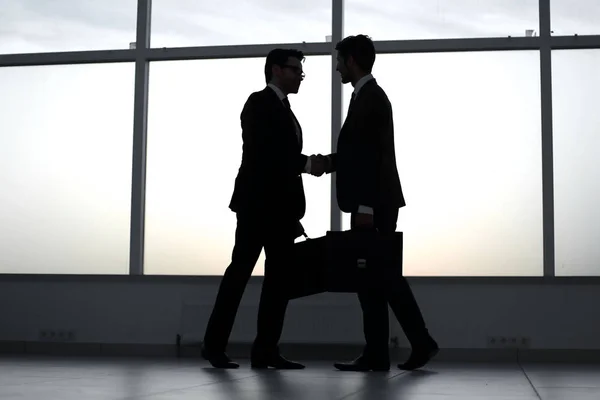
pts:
[397, 293]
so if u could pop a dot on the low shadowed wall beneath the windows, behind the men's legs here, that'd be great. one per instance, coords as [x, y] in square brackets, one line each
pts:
[555, 314]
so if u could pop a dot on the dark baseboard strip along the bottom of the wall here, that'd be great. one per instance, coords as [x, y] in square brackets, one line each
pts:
[300, 351]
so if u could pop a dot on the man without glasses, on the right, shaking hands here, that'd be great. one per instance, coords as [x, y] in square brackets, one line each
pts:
[368, 187]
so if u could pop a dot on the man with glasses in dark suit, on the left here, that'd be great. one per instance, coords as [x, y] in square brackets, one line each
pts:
[269, 202]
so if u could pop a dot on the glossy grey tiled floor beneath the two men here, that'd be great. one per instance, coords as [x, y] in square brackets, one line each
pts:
[60, 378]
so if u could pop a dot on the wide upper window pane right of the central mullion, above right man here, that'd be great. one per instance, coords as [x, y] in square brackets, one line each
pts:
[435, 19]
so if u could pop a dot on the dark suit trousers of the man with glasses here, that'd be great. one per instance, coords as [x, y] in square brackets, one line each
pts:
[252, 234]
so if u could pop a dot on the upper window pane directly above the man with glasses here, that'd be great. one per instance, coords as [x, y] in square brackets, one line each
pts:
[177, 23]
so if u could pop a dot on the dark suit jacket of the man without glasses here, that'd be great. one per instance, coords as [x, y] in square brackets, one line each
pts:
[365, 161]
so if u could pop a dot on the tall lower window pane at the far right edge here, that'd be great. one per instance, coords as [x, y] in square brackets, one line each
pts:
[576, 95]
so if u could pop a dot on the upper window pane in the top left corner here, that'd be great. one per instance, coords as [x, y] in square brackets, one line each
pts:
[32, 26]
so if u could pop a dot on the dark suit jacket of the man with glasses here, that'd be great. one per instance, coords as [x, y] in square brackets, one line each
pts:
[269, 179]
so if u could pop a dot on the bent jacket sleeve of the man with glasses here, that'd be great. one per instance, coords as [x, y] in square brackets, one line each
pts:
[265, 144]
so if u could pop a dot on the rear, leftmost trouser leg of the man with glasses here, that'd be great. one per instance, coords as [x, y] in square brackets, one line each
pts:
[248, 245]
